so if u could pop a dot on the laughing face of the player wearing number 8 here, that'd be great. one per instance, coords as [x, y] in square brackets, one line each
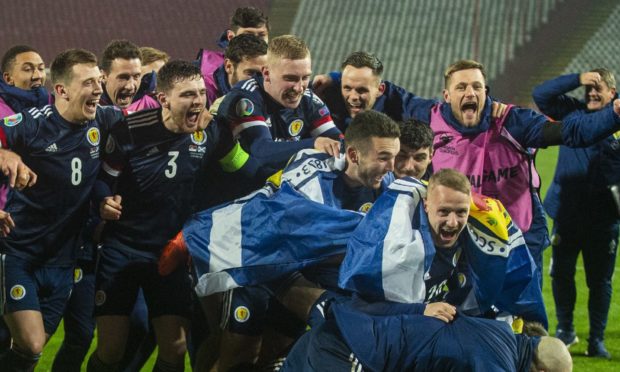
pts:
[78, 98]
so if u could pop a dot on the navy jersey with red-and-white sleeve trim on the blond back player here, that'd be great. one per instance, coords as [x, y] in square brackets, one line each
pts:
[258, 121]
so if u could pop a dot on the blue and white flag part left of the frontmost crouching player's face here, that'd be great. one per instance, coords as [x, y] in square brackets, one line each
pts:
[392, 248]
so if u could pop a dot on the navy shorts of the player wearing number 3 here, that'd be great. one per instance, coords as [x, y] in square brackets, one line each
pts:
[122, 272]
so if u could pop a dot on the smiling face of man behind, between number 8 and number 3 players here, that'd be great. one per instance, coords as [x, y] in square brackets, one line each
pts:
[123, 80]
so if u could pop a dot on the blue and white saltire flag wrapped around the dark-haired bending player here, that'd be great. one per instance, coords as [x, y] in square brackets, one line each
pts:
[274, 231]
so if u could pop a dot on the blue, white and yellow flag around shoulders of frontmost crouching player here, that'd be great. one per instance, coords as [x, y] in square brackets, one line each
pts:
[391, 250]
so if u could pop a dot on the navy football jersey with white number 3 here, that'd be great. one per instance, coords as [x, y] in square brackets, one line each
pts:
[153, 170]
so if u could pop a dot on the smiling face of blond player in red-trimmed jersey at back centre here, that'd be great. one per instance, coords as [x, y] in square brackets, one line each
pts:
[286, 80]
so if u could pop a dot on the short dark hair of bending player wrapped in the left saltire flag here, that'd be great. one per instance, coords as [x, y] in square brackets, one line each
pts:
[369, 124]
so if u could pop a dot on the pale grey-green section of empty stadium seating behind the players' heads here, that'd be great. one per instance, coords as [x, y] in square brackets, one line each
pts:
[429, 35]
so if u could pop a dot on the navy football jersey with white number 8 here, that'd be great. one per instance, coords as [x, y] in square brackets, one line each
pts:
[66, 157]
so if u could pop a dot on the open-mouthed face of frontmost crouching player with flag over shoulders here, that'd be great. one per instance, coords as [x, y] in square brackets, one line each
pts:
[447, 211]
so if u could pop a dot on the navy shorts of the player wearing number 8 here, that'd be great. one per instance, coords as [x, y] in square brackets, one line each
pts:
[28, 286]
